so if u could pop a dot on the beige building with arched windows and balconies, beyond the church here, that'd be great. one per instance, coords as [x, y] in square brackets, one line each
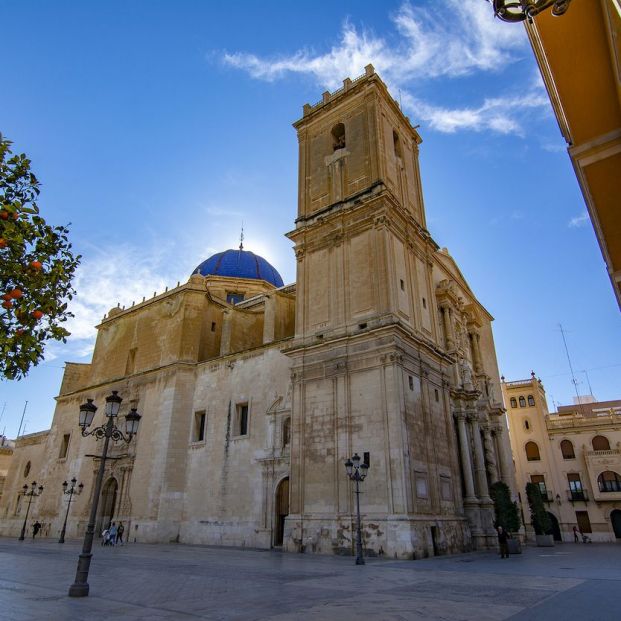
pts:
[573, 454]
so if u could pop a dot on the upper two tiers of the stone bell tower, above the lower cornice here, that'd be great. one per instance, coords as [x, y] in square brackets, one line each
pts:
[360, 215]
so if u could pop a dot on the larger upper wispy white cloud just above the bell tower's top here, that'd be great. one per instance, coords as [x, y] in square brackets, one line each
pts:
[455, 39]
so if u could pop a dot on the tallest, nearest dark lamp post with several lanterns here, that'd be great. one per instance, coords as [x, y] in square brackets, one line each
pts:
[107, 431]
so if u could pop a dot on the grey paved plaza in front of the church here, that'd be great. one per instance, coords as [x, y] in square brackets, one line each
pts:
[140, 582]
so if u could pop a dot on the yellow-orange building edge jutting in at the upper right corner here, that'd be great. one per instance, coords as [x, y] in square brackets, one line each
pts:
[579, 54]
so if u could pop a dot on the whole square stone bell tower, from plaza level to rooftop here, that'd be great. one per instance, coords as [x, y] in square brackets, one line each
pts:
[368, 360]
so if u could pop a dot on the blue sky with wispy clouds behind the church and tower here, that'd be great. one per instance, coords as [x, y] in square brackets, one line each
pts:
[156, 128]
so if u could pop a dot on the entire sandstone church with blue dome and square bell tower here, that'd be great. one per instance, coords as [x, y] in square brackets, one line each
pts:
[253, 393]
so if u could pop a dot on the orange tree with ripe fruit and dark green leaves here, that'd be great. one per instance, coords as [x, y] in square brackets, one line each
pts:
[36, 269]
